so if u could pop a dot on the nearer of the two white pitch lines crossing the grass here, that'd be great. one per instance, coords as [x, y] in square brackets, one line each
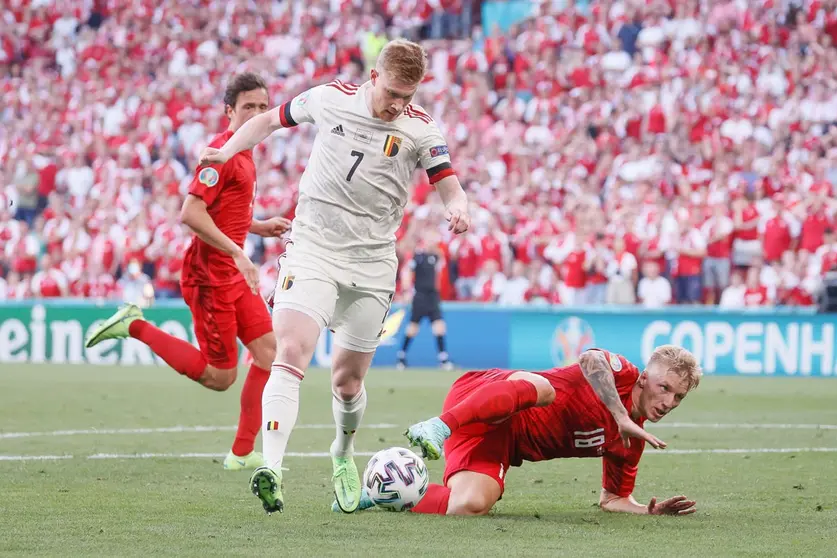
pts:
[370, 453]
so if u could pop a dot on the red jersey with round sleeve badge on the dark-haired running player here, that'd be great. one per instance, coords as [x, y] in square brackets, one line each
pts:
[229, 191]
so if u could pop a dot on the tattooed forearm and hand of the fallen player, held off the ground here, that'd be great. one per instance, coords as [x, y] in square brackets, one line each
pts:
[599, 374]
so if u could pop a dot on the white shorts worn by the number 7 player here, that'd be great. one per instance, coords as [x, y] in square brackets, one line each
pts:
[351, 299]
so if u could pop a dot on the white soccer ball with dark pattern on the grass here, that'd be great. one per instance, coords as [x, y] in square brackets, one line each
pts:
[396, 479]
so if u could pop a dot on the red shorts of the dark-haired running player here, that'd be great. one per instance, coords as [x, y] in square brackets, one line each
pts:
[221, 314]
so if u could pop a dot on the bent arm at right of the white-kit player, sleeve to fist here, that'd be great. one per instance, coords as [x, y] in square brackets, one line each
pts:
[434, 157]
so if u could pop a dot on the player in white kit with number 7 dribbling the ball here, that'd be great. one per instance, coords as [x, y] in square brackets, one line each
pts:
[340, 267]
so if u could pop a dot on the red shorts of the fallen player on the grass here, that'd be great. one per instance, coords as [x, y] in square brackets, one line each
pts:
[481, 448]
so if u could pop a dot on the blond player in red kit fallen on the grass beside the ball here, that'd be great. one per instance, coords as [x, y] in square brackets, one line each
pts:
[496, 419]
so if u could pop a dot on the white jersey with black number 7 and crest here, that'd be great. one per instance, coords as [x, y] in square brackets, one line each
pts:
[356, 183]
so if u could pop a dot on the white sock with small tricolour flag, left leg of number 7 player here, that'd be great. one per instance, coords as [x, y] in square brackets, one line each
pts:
[280, 407]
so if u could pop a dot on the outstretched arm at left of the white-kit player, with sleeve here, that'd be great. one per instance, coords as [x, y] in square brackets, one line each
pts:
[303, 108]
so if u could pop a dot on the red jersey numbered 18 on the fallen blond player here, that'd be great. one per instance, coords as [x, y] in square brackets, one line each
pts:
[577, 424]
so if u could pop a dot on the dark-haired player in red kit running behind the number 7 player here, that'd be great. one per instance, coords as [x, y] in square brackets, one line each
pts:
[219, 282]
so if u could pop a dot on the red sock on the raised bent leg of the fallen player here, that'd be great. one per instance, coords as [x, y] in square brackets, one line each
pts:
[492, 402]
